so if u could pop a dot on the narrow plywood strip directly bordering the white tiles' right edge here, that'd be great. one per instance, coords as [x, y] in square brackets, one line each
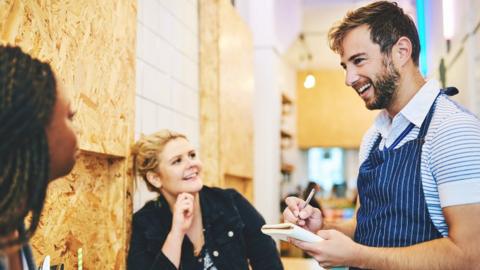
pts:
[209, 93]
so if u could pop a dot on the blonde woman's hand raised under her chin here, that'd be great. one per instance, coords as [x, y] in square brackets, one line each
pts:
[183, 213]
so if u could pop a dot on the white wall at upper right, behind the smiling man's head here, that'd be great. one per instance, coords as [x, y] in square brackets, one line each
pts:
[463, 59]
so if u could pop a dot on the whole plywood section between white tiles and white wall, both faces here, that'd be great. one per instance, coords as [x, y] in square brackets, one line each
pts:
[226, 96]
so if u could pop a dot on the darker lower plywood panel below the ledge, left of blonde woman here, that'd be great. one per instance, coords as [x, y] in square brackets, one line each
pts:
[87, 209]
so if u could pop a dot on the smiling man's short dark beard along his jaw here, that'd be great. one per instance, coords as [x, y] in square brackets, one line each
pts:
[385, 87]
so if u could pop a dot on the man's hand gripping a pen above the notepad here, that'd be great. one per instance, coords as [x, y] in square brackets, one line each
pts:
[307, 217]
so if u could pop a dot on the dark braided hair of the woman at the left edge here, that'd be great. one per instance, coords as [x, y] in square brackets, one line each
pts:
[27, 98]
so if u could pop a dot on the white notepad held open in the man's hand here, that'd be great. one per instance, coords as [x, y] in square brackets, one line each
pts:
[284, 230]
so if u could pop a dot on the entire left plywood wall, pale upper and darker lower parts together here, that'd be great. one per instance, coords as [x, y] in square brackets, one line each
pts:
[91, 46]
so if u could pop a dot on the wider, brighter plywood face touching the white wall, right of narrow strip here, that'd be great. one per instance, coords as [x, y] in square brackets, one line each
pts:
[236, 93]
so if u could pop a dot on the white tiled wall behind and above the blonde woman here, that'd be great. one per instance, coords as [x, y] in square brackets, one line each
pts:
[167, 71]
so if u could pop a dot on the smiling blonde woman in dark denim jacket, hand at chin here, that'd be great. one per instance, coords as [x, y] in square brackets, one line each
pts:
[189, 225]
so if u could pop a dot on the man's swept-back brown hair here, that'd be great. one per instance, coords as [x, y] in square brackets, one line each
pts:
[387, 23]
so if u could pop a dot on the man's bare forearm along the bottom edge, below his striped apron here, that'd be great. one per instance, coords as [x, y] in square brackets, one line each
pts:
[435, 254]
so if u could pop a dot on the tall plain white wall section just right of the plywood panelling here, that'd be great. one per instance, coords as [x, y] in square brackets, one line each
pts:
[272, 31]
